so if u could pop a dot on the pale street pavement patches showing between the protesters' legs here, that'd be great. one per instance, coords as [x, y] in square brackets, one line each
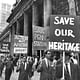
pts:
[14, 75]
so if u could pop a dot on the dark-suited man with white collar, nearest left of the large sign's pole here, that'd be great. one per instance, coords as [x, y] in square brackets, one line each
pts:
[44, 67]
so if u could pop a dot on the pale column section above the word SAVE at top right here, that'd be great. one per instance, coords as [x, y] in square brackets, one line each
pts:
[72, 7]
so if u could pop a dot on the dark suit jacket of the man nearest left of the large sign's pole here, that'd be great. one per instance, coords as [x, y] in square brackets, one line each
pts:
[45, 72]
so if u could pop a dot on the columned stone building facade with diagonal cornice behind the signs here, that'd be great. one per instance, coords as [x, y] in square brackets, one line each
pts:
[29, 13]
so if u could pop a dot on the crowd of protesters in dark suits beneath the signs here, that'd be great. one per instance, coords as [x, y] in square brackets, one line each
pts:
[49, 66]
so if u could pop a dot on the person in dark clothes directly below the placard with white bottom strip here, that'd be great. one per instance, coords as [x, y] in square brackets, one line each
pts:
[23, 74]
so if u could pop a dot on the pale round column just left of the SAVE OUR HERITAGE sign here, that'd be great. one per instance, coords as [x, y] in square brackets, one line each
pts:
[47, 12]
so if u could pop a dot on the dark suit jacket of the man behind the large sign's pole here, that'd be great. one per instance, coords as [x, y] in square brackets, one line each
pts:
[75, 72]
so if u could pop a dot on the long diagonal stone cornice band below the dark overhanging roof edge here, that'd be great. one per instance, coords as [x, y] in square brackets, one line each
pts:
[13, 18]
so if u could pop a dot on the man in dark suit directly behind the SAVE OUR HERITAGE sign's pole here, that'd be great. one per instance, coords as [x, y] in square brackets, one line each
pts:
[71, 71]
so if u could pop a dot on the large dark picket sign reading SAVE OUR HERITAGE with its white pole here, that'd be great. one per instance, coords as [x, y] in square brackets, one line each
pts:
[64, 34]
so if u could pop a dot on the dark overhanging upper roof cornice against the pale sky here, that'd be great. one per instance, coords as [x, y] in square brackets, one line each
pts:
[19, 9]
